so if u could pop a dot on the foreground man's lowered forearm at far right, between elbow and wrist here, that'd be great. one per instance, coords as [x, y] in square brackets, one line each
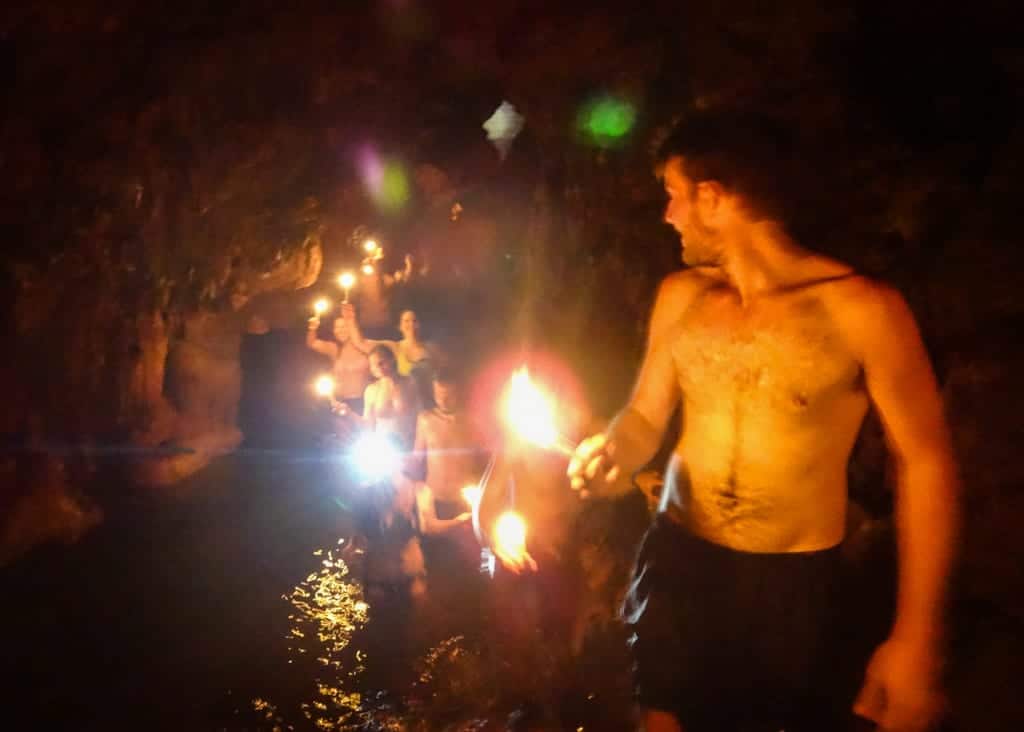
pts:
[928, 526]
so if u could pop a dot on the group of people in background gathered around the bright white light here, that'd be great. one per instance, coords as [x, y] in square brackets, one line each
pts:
[406, 392]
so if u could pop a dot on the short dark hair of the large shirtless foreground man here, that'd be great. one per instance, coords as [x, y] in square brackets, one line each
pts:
[748, 154]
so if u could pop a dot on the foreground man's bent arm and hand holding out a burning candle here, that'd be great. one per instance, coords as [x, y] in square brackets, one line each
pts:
[636, 434]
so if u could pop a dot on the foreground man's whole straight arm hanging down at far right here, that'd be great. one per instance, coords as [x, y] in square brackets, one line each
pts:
[903, 387]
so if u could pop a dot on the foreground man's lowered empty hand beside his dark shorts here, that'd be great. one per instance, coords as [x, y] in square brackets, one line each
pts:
[901, 692]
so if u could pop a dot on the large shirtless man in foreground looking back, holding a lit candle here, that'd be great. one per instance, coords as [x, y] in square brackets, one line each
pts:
[776, 355]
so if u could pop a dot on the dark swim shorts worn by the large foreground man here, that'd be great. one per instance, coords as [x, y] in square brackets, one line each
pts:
[729, 640]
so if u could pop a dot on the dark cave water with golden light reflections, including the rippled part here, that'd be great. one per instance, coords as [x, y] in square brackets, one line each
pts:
[229, 607]
